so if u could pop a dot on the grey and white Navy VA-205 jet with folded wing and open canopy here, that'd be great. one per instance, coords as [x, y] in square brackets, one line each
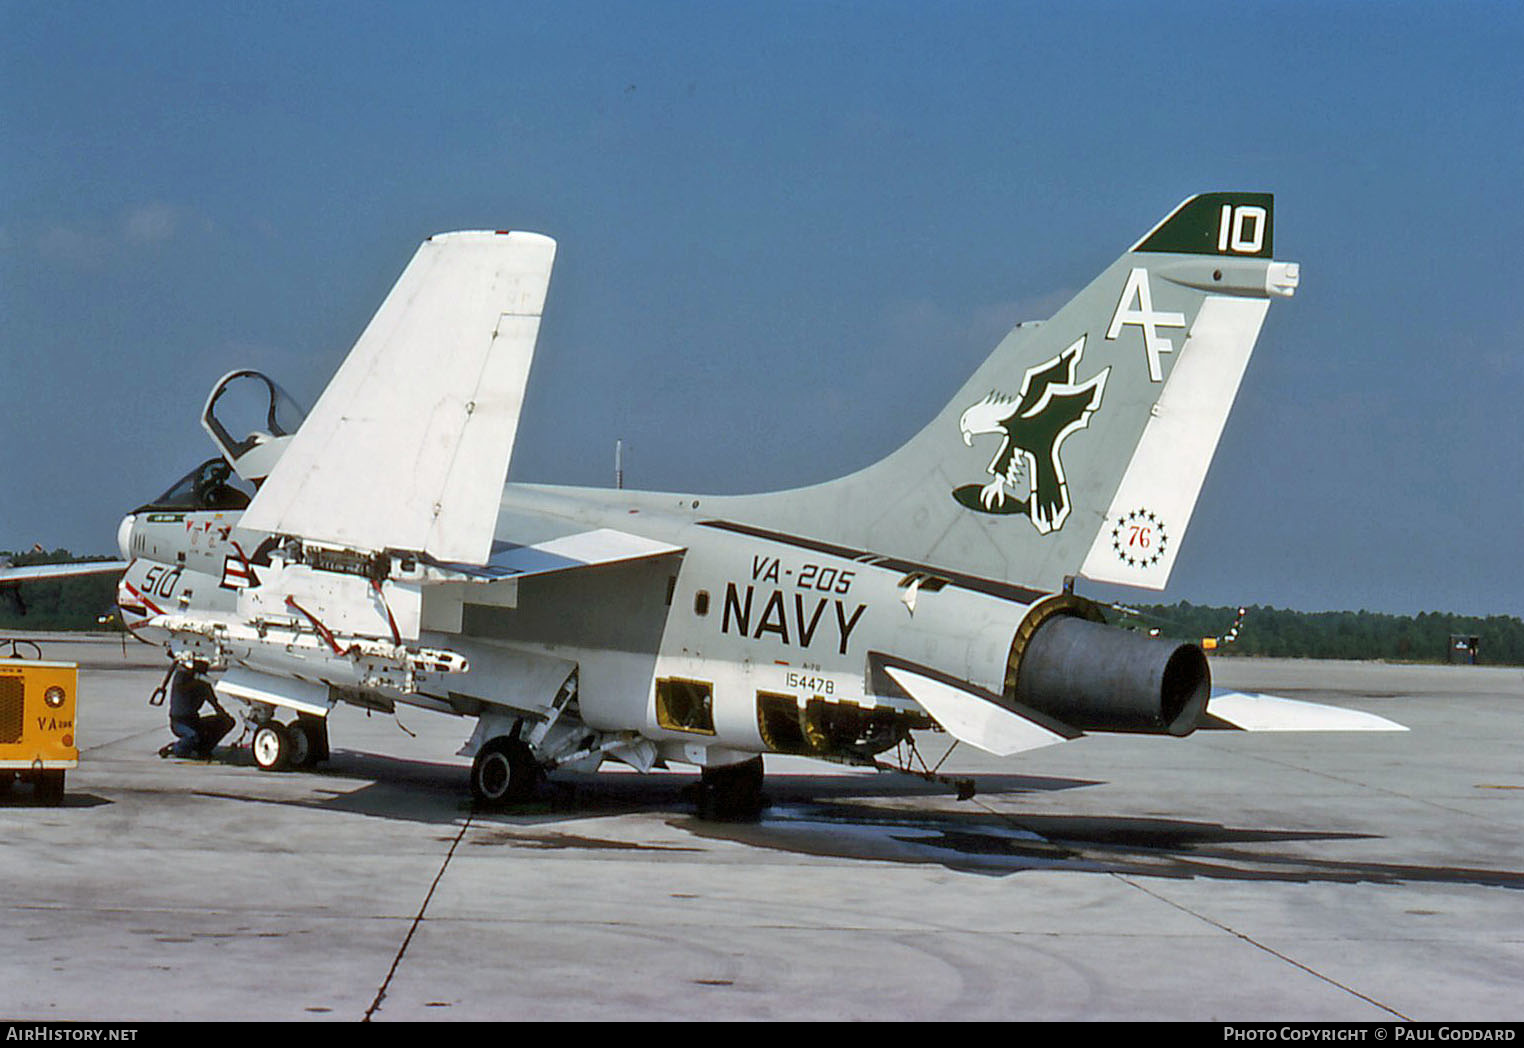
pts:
[382, 560]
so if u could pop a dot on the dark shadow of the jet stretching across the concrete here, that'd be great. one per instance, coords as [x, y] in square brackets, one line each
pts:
[876, 819]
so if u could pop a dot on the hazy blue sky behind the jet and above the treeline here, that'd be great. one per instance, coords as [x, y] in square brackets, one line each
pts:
[789, 232]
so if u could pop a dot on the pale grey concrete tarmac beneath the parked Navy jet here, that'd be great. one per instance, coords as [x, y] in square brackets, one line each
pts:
[1229, 877]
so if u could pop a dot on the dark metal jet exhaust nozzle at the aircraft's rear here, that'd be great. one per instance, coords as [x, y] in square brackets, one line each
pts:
[1101, 679]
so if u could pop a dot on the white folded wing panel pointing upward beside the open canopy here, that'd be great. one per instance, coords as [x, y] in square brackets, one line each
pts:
[411, 443]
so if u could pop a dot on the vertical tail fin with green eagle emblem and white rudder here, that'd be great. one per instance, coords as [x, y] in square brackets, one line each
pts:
[1081, 444]
